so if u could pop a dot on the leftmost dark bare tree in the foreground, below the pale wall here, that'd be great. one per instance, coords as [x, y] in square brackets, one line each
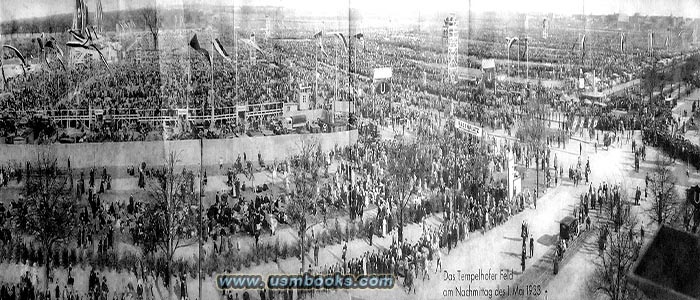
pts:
[48, 212]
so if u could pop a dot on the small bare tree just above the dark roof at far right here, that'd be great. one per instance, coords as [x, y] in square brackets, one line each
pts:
[665, 198]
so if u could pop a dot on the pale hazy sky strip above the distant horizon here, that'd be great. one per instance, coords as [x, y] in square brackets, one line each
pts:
[19, 9]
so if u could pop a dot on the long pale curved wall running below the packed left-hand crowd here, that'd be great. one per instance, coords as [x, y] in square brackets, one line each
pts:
[122, 154]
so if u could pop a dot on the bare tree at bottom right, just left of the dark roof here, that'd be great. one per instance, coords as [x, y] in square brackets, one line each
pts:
[610, 275]
